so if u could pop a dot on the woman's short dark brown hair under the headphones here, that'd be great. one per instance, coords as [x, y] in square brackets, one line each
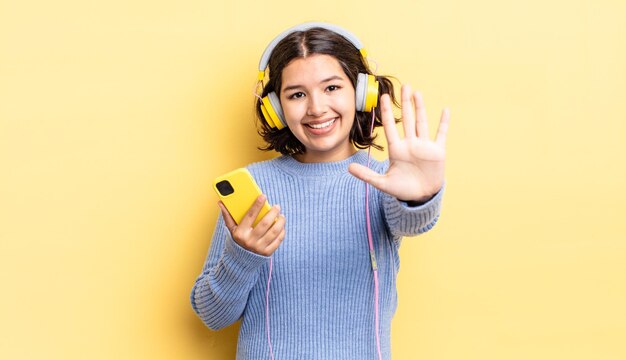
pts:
[301, 44]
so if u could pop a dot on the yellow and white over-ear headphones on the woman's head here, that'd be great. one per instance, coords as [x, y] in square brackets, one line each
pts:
[366, 85]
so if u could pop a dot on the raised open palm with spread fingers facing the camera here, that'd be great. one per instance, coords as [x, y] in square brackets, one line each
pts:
[416, 163]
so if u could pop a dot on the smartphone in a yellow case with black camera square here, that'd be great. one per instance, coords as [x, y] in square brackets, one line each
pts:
[238, 191]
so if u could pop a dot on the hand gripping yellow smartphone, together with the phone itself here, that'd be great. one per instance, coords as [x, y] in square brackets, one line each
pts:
[252, 222]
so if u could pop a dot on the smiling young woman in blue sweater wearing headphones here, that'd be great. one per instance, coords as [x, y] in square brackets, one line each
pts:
[316, 277]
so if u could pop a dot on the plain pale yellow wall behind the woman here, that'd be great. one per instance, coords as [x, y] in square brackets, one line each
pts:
[116, 115]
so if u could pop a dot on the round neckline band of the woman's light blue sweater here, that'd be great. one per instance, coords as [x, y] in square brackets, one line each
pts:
[293, 166]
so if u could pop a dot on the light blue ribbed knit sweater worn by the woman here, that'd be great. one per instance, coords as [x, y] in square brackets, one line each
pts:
[321, 299]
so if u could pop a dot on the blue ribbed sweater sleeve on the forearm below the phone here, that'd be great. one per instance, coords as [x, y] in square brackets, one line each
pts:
[220, 293]
